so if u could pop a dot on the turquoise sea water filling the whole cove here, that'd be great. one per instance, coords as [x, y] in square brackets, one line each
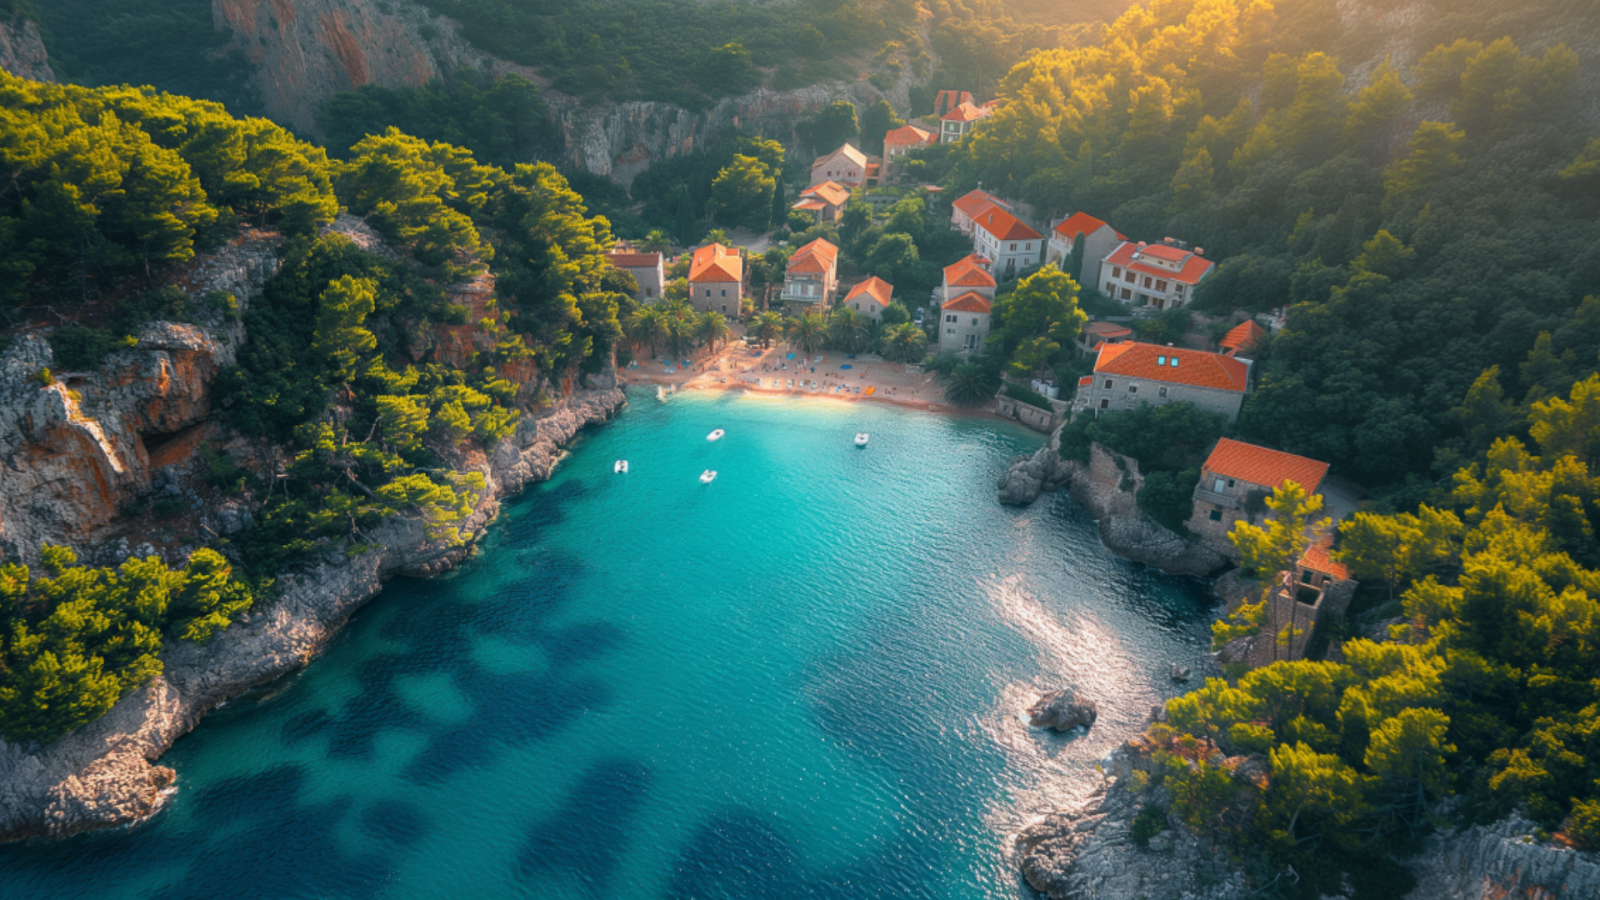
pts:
[801, 681]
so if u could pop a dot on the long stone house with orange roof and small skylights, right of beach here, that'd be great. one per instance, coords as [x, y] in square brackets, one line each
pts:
[1132, 374]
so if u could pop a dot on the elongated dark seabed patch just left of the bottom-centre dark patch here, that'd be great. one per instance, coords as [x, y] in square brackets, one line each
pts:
[588, 837]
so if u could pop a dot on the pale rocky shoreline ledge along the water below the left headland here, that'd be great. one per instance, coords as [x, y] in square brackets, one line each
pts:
[103, 776]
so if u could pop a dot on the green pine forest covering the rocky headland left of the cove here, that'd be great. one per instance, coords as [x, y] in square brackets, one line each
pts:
[359, 361]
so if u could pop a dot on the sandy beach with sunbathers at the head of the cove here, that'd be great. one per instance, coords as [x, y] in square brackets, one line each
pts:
[830, 376]
